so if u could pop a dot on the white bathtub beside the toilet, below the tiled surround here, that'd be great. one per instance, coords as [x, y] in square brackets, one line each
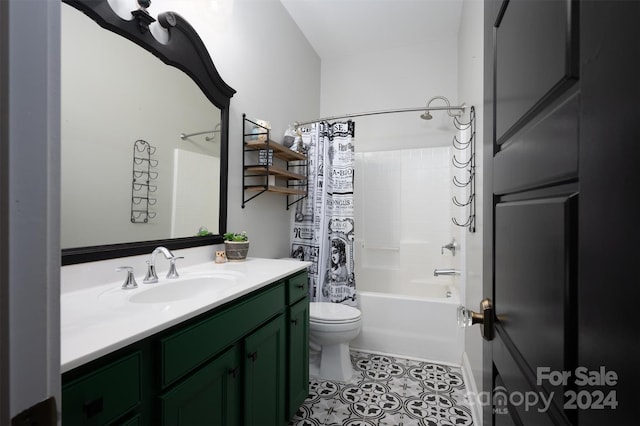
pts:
[420, 326]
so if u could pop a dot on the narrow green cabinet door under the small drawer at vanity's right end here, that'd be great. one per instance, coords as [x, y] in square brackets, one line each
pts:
[298, 355]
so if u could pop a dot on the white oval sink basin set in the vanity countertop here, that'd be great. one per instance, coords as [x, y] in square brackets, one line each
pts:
[167, 291]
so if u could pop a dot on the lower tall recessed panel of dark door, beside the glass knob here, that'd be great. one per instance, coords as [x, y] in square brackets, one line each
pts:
[532, 277]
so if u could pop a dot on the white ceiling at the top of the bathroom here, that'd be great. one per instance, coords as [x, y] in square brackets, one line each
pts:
[341, 27]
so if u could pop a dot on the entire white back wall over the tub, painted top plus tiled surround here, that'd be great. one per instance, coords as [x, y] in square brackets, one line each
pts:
[404, 215]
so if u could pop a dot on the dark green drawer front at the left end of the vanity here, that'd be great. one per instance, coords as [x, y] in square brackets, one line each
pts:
[101, 397]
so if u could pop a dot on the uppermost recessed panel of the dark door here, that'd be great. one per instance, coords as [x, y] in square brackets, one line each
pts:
[534, 57]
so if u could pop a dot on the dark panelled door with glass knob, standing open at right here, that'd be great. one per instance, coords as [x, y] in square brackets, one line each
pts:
[560, 150]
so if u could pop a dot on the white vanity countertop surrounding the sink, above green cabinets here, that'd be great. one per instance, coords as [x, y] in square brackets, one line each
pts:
[99, 319]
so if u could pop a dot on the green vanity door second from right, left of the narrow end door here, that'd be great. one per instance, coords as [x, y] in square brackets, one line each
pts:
[264, 393]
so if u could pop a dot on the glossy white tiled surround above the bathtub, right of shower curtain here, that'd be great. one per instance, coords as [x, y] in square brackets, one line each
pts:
[403, 215]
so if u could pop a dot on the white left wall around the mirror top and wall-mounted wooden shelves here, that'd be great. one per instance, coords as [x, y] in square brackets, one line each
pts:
[260, 52]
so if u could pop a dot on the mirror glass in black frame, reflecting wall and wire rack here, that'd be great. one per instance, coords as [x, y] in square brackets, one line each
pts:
[114, 94]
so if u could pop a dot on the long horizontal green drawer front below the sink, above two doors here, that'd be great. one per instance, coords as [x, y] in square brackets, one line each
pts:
[188, 348]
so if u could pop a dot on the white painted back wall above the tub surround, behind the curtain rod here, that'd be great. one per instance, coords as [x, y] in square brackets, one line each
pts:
[403, 77]
